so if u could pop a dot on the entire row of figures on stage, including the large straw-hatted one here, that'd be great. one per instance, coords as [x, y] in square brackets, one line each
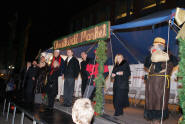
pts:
[159, 65]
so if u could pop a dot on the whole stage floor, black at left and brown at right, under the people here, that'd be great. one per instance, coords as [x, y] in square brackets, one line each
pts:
[62, 115]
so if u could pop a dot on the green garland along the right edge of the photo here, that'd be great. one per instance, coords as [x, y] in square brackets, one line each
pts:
[181, 73]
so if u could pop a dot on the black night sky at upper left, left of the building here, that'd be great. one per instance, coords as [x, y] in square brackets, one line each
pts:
[49, 20]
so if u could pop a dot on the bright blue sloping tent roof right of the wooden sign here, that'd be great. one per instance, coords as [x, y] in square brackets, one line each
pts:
[147, 20]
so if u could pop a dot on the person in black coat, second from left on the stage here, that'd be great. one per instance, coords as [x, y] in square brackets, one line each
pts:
[30, 83]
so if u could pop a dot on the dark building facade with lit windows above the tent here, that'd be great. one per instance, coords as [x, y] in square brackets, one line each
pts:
[119, 11]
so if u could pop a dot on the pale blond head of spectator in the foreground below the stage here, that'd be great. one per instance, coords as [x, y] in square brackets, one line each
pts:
[82, 111]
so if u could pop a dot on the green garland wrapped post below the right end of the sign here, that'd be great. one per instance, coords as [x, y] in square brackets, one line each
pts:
[99, 80]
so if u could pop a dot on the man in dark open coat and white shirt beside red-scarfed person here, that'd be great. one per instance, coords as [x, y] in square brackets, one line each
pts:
[72, 69]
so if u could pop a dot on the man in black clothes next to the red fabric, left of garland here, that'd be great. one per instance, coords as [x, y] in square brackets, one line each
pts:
[83, 72]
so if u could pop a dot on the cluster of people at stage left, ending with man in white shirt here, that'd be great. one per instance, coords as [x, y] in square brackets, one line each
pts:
[43, 78]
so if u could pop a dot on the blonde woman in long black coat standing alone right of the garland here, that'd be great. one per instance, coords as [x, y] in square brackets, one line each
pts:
[120, 73]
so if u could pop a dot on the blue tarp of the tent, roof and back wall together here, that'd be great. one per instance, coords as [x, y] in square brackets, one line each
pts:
[134, 44]
